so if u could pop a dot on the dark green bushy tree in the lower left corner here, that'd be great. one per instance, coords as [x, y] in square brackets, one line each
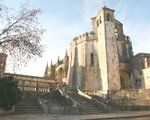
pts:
[9, 92]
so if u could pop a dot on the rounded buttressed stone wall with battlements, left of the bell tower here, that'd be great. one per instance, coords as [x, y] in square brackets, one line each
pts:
[83, 64]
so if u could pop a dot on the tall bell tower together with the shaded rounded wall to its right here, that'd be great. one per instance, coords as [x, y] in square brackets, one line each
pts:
[114, 51]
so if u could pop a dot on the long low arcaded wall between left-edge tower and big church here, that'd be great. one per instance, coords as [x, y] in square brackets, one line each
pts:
[33, 83]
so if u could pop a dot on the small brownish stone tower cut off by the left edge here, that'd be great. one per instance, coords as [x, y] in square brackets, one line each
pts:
[3, 58]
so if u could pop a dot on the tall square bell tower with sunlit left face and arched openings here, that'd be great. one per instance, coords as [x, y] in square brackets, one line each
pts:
[104, 28]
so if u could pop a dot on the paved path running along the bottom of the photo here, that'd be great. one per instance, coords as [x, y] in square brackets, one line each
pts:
[142, 115]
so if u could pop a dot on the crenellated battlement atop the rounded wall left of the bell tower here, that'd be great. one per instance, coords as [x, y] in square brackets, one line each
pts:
[88, 36]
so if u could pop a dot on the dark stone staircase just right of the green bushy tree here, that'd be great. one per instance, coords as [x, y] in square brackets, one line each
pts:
[28, 106]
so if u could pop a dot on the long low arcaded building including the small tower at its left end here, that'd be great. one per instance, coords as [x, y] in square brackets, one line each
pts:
[26, 82]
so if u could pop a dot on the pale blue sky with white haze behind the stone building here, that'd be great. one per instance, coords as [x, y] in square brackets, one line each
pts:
[65, 19]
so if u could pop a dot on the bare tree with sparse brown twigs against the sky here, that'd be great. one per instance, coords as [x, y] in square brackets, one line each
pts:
[20, 33]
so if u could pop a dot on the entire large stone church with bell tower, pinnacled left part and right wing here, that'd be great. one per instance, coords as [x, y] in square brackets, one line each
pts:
[102, 59]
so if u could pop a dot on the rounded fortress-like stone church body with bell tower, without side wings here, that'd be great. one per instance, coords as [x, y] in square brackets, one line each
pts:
[100, 60]
